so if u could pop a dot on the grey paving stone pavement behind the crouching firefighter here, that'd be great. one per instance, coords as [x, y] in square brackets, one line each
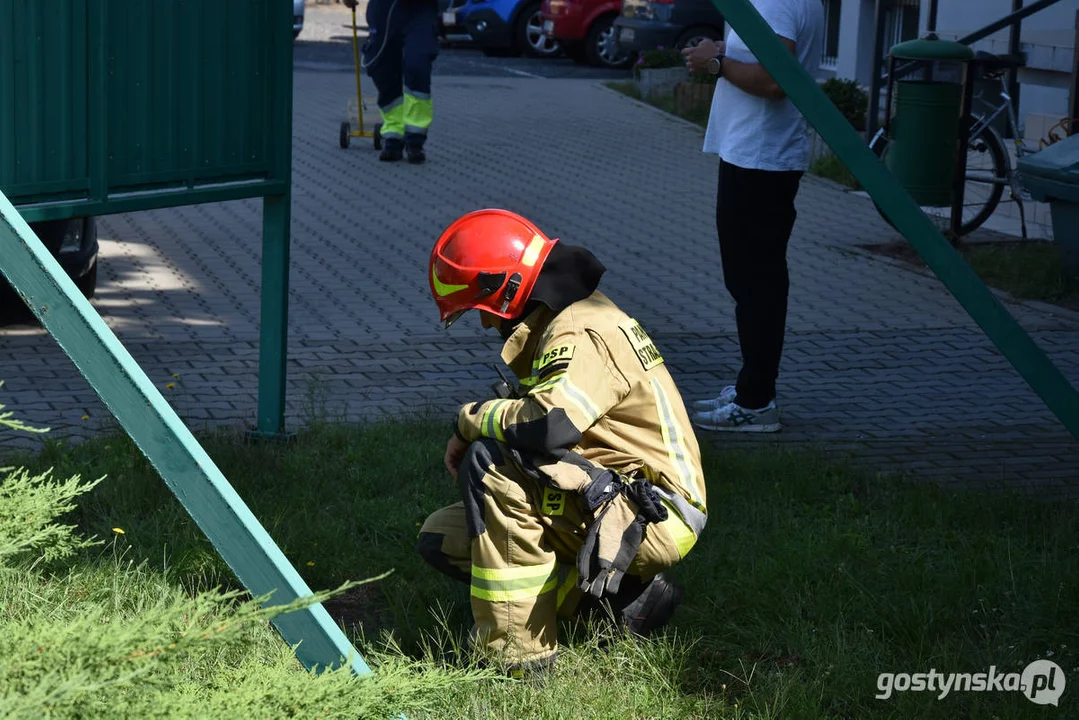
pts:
[882, 364]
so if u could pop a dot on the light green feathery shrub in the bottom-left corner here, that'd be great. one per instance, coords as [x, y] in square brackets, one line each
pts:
[95, 635]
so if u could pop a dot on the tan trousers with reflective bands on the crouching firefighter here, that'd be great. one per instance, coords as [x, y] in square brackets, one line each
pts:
[515, 541]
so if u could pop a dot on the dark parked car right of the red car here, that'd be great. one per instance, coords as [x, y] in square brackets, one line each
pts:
[650, 24]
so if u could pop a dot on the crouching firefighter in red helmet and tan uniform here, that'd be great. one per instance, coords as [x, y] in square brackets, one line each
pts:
[578, 494]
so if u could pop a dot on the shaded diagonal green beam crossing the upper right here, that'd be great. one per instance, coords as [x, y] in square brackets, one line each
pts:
[968, 289]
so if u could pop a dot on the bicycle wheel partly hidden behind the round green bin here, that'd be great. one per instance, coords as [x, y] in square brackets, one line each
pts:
[988, 172]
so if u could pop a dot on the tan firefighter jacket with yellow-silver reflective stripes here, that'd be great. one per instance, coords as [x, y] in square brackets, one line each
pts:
[595, 387]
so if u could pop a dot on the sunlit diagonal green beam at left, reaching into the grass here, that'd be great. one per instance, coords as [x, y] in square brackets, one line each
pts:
[168, 444]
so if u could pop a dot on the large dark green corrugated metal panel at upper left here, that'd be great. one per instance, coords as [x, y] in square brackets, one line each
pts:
[120, 105]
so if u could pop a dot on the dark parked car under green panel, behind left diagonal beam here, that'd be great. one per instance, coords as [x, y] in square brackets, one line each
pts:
[74, 243]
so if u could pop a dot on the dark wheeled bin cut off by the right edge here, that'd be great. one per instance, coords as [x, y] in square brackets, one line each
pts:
[1053, 176]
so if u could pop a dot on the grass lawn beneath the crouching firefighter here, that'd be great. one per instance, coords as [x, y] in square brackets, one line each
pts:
[810, 581]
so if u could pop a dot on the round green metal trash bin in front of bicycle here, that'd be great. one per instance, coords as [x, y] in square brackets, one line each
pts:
[925, 119]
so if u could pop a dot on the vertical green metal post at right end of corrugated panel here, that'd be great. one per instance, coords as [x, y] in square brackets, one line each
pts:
[277, 222]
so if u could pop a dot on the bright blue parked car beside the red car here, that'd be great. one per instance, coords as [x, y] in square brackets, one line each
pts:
[500, 28]
